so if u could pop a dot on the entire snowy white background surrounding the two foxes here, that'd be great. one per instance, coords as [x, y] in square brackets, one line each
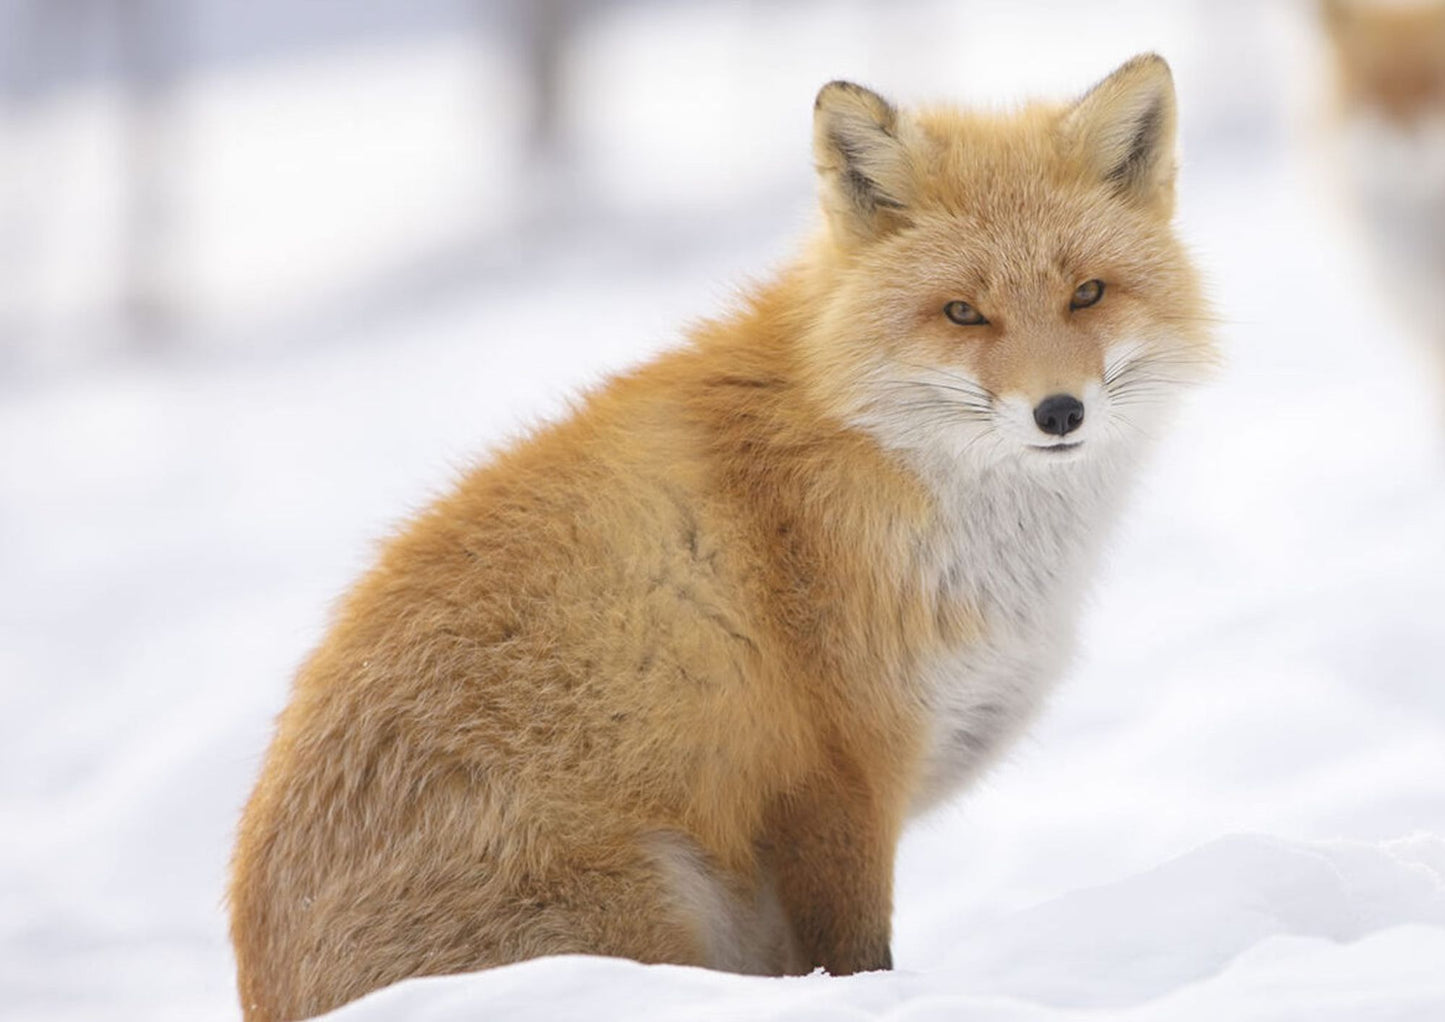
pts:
[267, 287]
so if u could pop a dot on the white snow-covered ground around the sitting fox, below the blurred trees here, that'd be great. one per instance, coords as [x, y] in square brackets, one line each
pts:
[1235, 810]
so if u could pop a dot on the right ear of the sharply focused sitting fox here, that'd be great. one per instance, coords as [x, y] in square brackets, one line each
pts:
[1123, 132]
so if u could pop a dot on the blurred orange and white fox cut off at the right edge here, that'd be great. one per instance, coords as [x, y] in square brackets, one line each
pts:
[1389, 118]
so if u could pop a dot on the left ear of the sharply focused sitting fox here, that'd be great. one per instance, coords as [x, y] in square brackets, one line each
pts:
[865, 174]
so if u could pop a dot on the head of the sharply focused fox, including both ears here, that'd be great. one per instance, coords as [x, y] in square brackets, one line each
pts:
[1005, 288]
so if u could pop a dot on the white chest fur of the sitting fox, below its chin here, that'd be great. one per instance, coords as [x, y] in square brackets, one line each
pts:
[1019, 547]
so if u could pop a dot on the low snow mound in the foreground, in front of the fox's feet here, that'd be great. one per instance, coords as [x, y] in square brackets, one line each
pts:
[1241, 929]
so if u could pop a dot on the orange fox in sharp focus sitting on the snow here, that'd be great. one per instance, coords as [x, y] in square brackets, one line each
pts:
[667, 679]
